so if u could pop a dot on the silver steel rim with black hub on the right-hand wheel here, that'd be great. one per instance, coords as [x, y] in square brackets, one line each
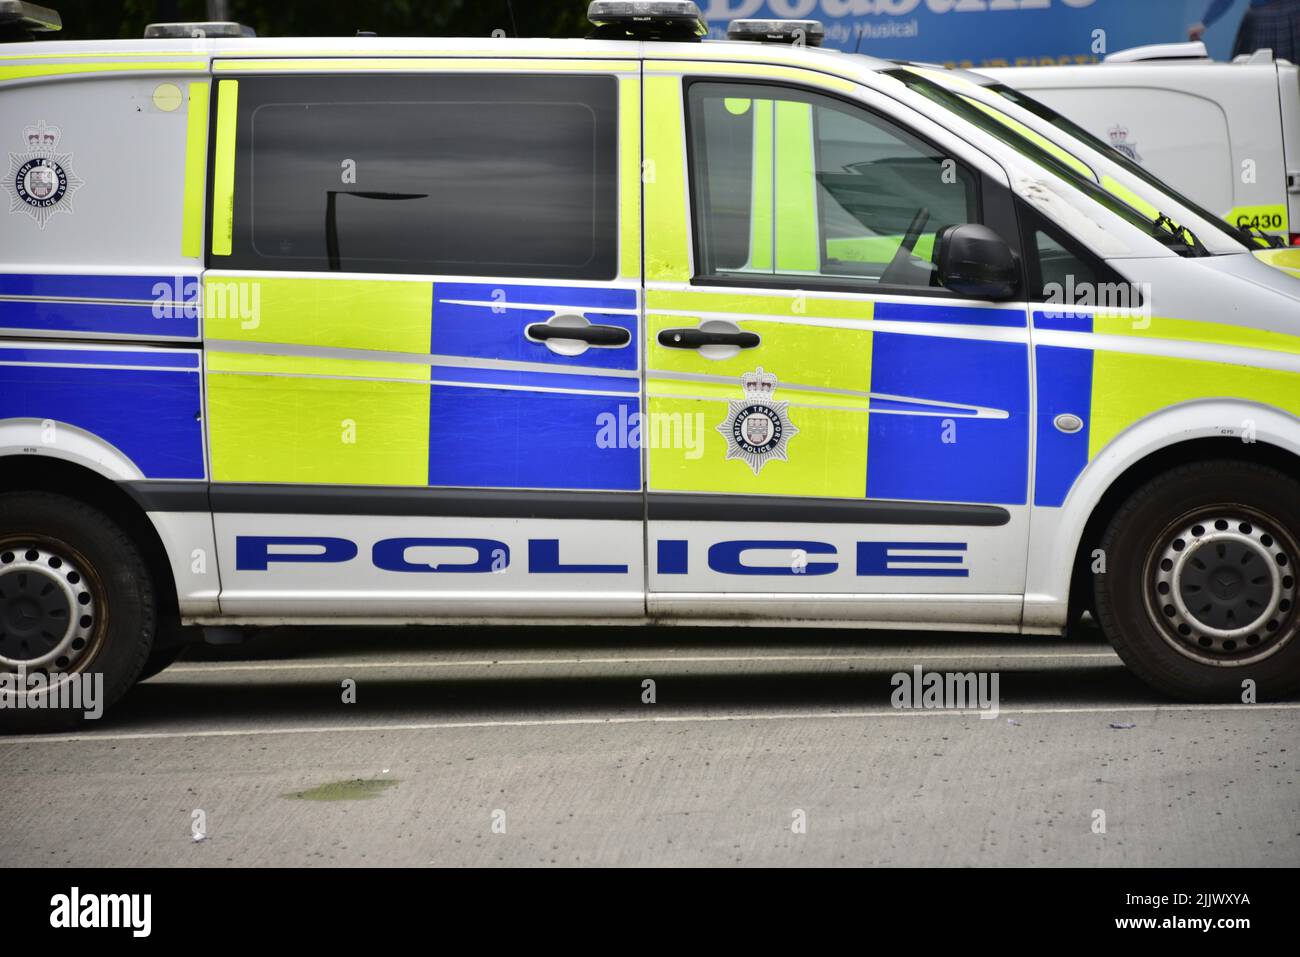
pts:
[1221, 587]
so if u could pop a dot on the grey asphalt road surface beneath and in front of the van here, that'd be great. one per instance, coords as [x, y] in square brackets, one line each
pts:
[536, 747]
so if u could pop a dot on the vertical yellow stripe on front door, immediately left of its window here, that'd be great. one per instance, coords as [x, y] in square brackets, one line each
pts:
[668, 248]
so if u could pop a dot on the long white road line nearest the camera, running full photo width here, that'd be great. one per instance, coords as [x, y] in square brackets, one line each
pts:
[1115, 711]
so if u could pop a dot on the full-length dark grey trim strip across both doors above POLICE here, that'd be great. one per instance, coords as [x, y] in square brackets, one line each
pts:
[525, 504]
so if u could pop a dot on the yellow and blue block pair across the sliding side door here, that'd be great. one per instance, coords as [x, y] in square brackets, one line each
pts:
[417, 383]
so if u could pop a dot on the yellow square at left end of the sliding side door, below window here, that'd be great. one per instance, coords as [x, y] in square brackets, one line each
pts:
[281, 418]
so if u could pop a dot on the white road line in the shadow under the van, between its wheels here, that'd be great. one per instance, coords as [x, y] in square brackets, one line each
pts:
[661, 660]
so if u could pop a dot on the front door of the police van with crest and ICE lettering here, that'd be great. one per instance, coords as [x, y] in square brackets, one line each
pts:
[859, 434]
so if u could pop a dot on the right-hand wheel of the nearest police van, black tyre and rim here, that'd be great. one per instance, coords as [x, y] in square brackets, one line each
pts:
[1201, 586]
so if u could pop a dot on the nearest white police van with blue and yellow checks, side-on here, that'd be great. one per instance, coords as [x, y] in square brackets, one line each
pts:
[634, 328]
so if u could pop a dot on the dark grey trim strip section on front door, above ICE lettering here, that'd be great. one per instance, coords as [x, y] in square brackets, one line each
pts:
[822, 512]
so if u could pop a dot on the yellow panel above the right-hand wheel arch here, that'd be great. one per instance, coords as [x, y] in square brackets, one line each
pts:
[1128, 388]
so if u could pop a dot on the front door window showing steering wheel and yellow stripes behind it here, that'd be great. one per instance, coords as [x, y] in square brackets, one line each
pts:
[794, 184]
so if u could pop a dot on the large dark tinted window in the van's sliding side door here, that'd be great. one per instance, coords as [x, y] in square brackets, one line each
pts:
[454, 175]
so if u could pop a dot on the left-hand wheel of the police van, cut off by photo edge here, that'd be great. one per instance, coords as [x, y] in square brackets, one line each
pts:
[58, 552]
